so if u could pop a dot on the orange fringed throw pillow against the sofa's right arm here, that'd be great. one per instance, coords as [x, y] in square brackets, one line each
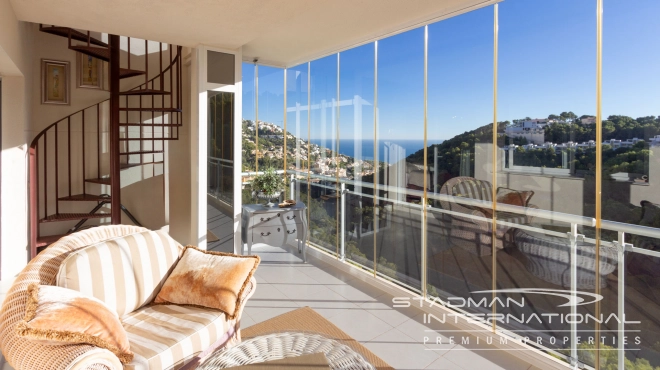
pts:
[208, 279]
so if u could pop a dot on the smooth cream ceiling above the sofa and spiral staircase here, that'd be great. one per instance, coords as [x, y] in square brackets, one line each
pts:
[279, 32]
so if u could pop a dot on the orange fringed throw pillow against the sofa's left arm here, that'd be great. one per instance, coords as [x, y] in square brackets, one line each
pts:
[56, 316]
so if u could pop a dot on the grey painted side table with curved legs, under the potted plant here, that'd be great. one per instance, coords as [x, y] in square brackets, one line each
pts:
[275, 226]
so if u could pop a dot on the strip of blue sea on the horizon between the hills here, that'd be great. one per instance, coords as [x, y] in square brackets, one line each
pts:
[394, 150]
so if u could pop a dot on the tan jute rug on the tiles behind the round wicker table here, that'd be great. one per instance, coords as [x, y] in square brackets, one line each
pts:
[307, 320]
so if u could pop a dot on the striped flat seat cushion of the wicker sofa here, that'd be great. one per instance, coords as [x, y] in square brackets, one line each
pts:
[166, 336]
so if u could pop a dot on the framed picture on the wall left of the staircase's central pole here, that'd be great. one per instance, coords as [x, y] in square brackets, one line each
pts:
[55, 88]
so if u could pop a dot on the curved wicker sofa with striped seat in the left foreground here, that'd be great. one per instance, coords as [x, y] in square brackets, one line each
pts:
[161, 336]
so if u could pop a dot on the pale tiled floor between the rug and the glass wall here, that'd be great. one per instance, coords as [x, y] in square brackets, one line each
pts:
[362, 311]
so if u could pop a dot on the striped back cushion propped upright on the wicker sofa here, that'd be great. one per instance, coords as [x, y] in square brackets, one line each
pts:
[125, 273]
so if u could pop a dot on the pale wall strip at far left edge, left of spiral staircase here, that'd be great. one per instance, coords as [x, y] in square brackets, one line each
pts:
[16, 85]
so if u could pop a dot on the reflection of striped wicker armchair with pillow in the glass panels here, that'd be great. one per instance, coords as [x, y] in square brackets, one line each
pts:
[473, 235]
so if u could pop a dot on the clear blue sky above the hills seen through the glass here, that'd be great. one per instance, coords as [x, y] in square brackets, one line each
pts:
[547, 64]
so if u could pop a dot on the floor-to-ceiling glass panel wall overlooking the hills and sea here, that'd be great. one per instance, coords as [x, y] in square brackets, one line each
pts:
[527, 177]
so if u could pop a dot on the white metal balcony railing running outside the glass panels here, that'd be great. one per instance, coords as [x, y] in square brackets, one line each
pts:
[419, 285]
